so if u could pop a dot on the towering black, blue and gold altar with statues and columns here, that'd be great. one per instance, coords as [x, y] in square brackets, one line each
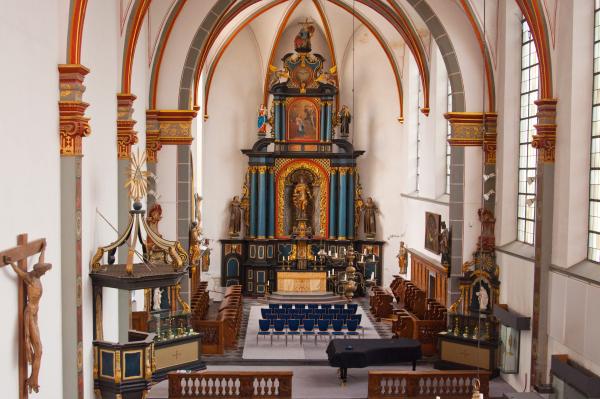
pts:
[301, 193]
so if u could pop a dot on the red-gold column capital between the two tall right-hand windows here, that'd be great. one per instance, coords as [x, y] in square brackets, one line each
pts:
[545, 139]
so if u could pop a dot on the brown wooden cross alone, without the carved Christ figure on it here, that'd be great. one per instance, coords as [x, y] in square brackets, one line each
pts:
[19, 255]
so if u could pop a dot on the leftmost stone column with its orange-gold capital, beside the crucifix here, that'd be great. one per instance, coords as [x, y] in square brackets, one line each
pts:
[73, 126]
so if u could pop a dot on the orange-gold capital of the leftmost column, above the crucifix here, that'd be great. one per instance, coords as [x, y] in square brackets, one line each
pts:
[73, 124]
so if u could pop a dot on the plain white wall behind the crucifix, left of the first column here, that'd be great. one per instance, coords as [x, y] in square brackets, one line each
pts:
[30, 173]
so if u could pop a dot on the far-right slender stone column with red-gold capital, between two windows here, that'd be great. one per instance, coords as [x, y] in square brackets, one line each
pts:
[545, 143]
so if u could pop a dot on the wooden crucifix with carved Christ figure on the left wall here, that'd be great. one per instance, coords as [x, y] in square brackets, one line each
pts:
[30, 293]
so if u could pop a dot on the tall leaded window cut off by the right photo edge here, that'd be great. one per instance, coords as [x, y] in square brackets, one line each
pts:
[594, 211]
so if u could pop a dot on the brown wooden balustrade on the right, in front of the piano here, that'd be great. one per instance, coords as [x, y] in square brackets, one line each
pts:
[426, 384]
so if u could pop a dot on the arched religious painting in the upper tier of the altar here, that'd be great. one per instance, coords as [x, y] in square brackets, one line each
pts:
[303, 120]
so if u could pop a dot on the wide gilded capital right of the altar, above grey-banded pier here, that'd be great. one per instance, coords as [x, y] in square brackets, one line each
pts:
[468, 128]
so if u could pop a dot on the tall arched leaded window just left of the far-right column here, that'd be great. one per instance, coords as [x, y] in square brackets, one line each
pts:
[527, 154]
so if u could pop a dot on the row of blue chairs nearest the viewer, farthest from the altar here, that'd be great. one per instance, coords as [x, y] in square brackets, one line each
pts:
[322, 328]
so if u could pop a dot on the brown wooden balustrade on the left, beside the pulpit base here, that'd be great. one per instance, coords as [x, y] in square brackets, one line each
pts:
[241, 384]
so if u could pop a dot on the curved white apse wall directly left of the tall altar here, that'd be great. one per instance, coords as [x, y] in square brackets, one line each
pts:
[236, 93]
